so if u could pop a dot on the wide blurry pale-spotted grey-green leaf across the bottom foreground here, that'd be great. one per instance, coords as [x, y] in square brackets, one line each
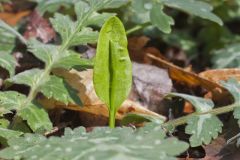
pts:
[102, 143]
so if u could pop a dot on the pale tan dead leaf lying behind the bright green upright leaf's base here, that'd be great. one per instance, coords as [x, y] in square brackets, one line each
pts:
[82, 81]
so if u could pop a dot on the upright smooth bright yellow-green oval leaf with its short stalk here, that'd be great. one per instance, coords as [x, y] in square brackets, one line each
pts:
[112, 76]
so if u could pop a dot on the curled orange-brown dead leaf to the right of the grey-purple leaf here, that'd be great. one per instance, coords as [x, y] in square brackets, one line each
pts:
[208, 80]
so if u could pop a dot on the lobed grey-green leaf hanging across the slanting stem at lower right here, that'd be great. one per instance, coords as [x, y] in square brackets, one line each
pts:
[202, 128]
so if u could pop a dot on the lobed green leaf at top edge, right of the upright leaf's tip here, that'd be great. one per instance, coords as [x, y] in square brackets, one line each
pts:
[145, 11]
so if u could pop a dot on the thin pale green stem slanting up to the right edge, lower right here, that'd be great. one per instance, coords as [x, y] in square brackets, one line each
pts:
[216, 111]
